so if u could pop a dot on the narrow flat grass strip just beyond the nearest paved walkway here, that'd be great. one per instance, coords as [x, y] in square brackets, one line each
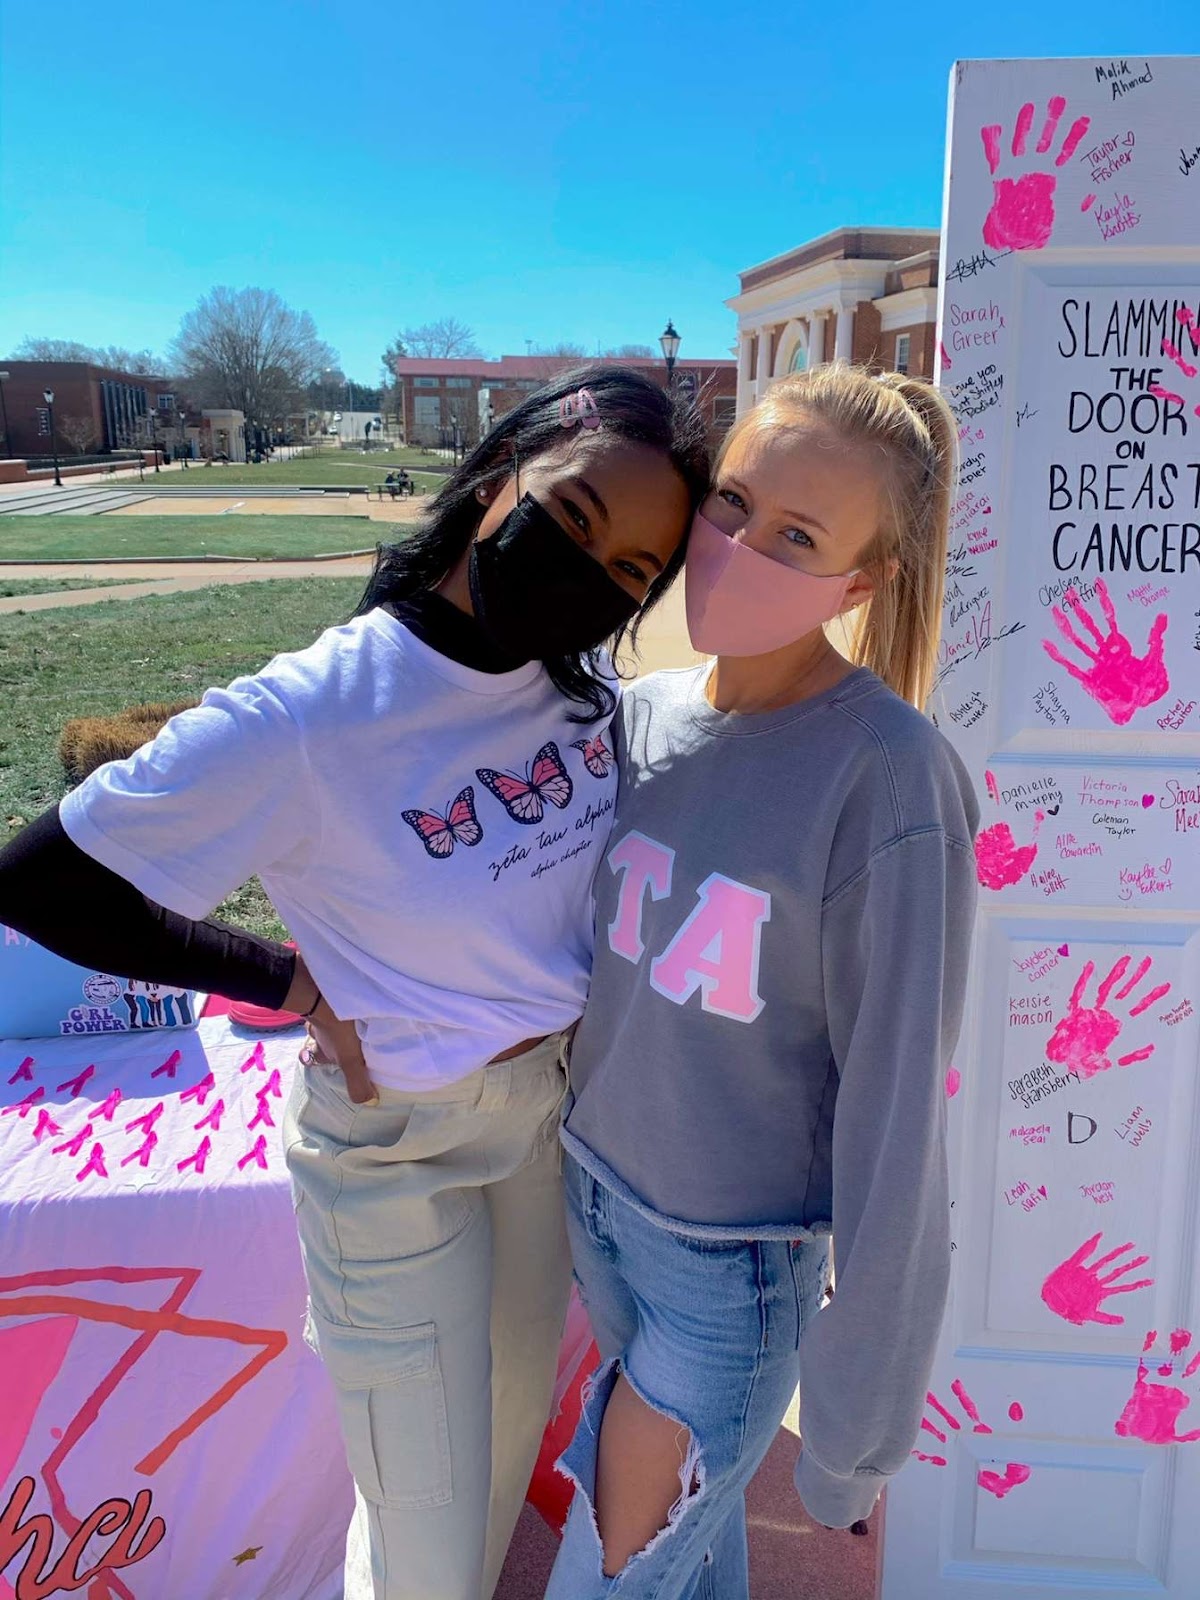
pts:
[97, 538]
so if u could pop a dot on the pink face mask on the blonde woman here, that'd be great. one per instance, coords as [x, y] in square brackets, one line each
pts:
[743, 604]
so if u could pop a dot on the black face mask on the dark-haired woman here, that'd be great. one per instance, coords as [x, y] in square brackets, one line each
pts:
[537, 594]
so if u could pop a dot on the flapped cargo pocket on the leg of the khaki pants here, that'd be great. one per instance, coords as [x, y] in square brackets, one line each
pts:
[393, 1410]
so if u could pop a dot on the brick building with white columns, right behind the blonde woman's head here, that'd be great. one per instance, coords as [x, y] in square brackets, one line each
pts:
[866, 295]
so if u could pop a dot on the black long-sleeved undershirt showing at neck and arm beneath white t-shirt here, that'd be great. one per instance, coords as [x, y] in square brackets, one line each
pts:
[57, 895]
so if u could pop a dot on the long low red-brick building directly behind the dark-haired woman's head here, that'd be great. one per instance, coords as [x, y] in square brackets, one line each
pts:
[434, 398]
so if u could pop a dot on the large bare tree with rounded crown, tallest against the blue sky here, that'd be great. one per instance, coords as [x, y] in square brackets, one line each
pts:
[250, 351]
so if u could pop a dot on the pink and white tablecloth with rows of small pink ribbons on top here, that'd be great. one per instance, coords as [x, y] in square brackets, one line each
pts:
[161, 1415]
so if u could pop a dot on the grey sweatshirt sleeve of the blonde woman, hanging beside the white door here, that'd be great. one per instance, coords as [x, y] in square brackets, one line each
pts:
[895, 950]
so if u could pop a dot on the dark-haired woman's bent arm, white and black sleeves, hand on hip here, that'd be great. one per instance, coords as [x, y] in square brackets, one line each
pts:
[126, 874]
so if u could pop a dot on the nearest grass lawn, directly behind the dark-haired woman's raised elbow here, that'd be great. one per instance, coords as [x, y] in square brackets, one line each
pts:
[100, 660]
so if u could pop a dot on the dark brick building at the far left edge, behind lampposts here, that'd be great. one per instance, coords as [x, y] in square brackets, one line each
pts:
[119, 409]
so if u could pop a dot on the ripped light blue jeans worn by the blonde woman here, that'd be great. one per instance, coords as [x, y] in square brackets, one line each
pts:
[706, 1332]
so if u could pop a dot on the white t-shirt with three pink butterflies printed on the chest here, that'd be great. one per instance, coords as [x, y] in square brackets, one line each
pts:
[428, 833]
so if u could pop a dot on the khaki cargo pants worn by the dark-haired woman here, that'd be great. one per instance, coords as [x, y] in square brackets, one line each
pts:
[438, 1263]
